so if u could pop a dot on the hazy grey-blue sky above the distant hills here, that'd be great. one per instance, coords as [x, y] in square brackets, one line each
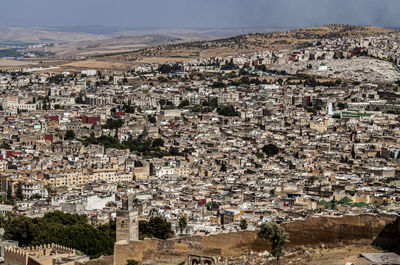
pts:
[198, 13]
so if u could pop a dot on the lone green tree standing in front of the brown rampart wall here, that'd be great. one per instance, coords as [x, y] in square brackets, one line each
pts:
[276, 235]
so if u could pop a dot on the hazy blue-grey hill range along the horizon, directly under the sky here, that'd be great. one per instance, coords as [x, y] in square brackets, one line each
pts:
[66, 35]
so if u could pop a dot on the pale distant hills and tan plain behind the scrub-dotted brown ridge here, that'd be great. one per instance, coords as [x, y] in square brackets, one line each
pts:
[91, 40]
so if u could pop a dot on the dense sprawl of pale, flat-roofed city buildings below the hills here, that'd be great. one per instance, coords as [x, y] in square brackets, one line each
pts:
[94, 160]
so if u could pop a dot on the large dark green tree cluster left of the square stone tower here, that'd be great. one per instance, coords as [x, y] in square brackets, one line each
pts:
[69, 230]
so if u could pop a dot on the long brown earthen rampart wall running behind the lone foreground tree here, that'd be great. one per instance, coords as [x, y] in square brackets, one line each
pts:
[313, 231]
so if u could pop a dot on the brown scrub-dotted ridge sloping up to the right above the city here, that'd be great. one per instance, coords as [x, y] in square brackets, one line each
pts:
[245, 43]
